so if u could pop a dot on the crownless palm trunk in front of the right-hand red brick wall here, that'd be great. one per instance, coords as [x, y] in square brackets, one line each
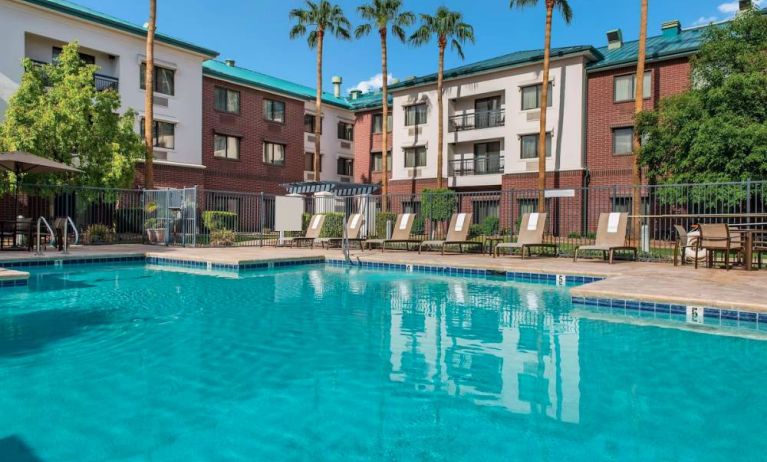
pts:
[636, 171]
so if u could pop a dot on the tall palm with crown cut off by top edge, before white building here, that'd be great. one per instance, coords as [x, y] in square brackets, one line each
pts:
[567, 15]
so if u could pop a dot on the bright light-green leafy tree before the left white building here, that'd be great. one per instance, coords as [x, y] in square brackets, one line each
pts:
[58, 114]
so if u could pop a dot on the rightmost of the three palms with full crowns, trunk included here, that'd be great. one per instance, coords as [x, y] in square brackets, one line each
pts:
[448, 27]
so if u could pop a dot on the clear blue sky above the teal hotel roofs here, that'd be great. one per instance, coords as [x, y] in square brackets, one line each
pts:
[255, 32]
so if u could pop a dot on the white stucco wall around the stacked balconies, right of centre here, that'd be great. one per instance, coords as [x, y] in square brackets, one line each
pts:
[565, 120]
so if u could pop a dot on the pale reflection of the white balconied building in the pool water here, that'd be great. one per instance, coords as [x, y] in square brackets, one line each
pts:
[495, 344]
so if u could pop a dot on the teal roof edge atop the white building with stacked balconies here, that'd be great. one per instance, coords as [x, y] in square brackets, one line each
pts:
[516, 58]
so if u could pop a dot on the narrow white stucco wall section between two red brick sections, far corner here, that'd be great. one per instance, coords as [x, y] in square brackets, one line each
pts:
[332, 147]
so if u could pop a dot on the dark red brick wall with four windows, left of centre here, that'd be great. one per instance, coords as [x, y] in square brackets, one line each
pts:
[249, 173]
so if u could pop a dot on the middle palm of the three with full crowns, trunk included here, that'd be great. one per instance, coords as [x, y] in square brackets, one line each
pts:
[382, 14]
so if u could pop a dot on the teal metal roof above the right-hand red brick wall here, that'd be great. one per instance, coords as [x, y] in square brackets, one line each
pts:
[658, 48]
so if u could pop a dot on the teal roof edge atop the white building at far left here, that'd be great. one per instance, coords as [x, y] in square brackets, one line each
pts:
[81, 12]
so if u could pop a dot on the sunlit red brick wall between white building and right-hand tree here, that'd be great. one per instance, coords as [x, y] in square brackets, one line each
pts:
[668, 77]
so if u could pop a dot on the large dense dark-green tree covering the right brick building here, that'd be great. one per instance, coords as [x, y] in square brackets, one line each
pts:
[717, 130]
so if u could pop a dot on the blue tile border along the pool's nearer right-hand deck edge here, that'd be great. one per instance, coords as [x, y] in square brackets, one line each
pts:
[714, 317]
